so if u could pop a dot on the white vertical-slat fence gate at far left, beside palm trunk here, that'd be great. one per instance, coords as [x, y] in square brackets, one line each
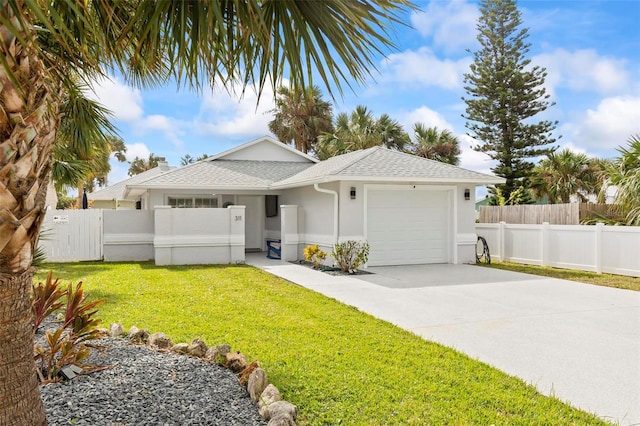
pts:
[72, 235]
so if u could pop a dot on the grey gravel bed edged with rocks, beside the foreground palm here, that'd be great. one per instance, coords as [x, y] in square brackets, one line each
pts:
[146, 387]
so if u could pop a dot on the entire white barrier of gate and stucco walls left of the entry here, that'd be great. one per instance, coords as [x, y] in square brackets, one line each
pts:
[168, 236]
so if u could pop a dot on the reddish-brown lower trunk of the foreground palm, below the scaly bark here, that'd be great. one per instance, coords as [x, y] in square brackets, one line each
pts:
[20, 402]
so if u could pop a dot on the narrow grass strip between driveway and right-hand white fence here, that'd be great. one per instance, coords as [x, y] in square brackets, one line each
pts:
[606, 280]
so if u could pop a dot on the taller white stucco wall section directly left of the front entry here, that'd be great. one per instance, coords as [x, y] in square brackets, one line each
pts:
[199, 236]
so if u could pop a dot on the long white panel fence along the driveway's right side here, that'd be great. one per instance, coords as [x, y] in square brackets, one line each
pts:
[599, 248]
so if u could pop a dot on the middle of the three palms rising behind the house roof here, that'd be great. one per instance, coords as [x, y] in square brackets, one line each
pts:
[361, 130]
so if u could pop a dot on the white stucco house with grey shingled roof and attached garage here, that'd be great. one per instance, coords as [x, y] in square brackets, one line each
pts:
[411, 210]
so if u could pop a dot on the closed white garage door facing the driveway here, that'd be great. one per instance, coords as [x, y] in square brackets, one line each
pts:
[408, 226]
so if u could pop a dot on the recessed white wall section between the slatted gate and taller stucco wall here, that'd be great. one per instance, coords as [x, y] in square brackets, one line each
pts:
[128, 235]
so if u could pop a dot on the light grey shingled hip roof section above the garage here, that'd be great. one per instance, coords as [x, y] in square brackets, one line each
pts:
[379, 164]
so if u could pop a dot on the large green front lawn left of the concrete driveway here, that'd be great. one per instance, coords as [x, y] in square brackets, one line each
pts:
[337, 364]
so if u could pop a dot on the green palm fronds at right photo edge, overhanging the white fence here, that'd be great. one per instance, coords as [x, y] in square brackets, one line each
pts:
[624, 173]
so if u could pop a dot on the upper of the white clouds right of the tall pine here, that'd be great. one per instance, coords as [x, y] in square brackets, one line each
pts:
[584, 70]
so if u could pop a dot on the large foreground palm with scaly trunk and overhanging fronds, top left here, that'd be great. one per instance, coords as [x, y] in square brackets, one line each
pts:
[46, 45]
